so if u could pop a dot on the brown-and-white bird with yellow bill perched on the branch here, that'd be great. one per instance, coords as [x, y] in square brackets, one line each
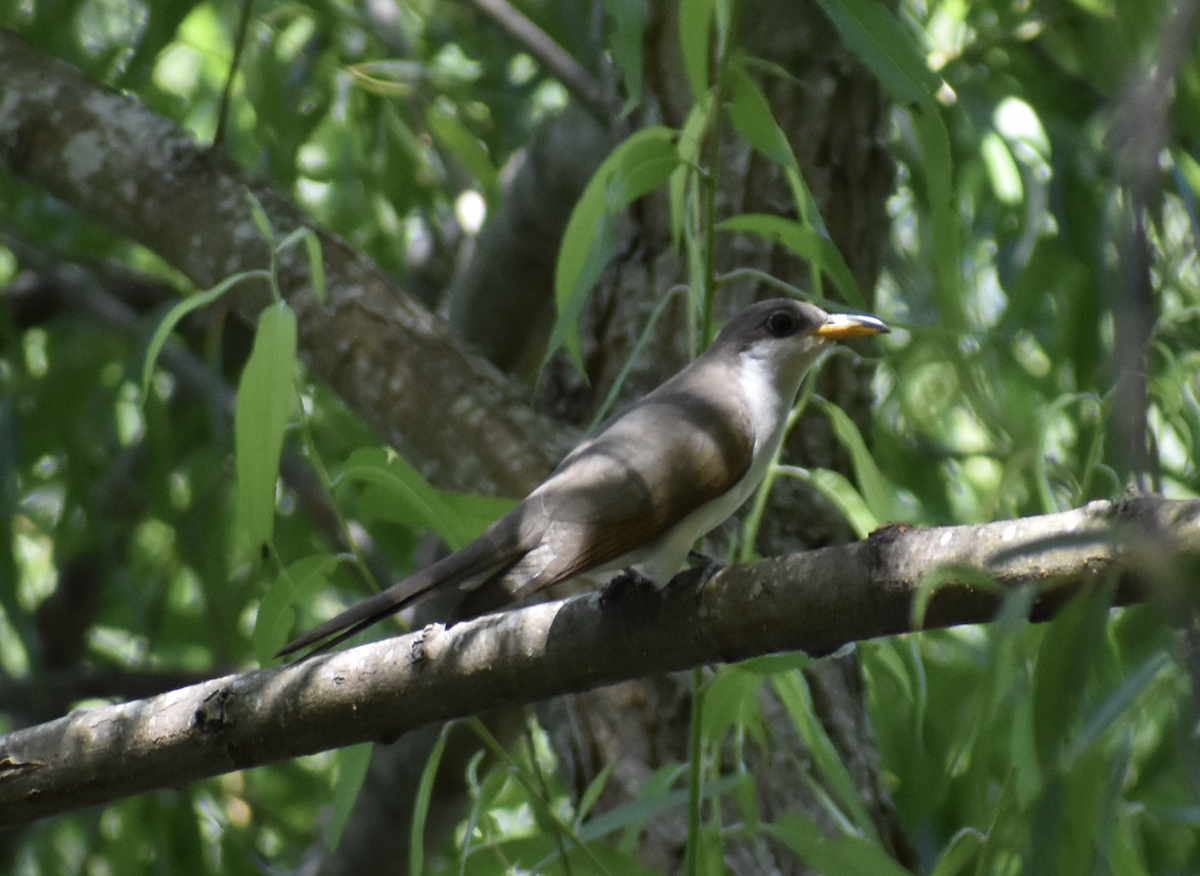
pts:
[640, 493]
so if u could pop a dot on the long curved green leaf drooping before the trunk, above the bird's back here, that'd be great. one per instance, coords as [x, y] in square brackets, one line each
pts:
[641, 164]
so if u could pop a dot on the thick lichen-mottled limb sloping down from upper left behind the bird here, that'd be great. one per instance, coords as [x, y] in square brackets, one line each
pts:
[111, 158]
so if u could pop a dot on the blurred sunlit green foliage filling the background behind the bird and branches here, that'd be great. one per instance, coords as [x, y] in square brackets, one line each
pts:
[1059, 748]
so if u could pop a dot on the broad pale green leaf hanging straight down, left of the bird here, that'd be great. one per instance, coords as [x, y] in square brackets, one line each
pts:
[266, 400]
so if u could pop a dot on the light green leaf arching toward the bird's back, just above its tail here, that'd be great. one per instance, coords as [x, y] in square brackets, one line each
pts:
[413, 501]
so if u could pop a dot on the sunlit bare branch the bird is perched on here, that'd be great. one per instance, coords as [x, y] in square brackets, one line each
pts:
[814, 602]
